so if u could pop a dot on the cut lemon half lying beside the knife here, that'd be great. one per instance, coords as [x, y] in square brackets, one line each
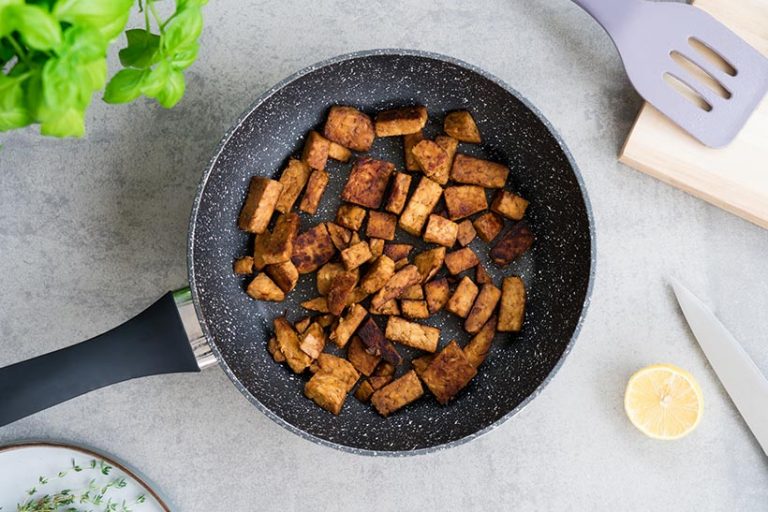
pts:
[663, 401]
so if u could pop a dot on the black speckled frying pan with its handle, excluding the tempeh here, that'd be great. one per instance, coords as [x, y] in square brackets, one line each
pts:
[229, 327]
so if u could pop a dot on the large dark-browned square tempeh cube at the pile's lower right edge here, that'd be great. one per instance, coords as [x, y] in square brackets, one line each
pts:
[448, 373]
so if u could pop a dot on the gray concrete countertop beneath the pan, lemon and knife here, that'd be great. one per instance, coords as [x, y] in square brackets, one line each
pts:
[93, 230]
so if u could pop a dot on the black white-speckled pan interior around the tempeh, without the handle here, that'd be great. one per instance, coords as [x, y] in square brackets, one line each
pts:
[557, 270]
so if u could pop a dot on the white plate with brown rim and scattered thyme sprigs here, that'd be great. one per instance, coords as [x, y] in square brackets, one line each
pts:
[21, 467]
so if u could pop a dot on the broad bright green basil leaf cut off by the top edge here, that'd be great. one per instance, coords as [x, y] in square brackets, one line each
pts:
[109, 16]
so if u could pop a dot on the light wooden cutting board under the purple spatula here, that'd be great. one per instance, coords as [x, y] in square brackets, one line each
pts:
[734, 178]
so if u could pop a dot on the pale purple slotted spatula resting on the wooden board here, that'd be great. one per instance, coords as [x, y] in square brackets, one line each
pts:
[718, 78]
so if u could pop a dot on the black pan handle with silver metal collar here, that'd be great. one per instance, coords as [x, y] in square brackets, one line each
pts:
[161, 339]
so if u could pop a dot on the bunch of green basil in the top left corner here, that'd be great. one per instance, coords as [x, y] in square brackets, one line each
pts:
[53, 58]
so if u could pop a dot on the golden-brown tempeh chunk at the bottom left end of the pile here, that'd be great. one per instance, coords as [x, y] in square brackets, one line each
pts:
[329, 386]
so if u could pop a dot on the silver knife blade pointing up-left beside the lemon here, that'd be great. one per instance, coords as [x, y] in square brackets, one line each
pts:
[741, 378]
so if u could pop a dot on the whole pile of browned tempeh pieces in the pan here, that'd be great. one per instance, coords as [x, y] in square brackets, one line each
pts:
[372, 275]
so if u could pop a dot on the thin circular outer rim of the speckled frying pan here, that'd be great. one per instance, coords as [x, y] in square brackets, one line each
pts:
[217, 153]
